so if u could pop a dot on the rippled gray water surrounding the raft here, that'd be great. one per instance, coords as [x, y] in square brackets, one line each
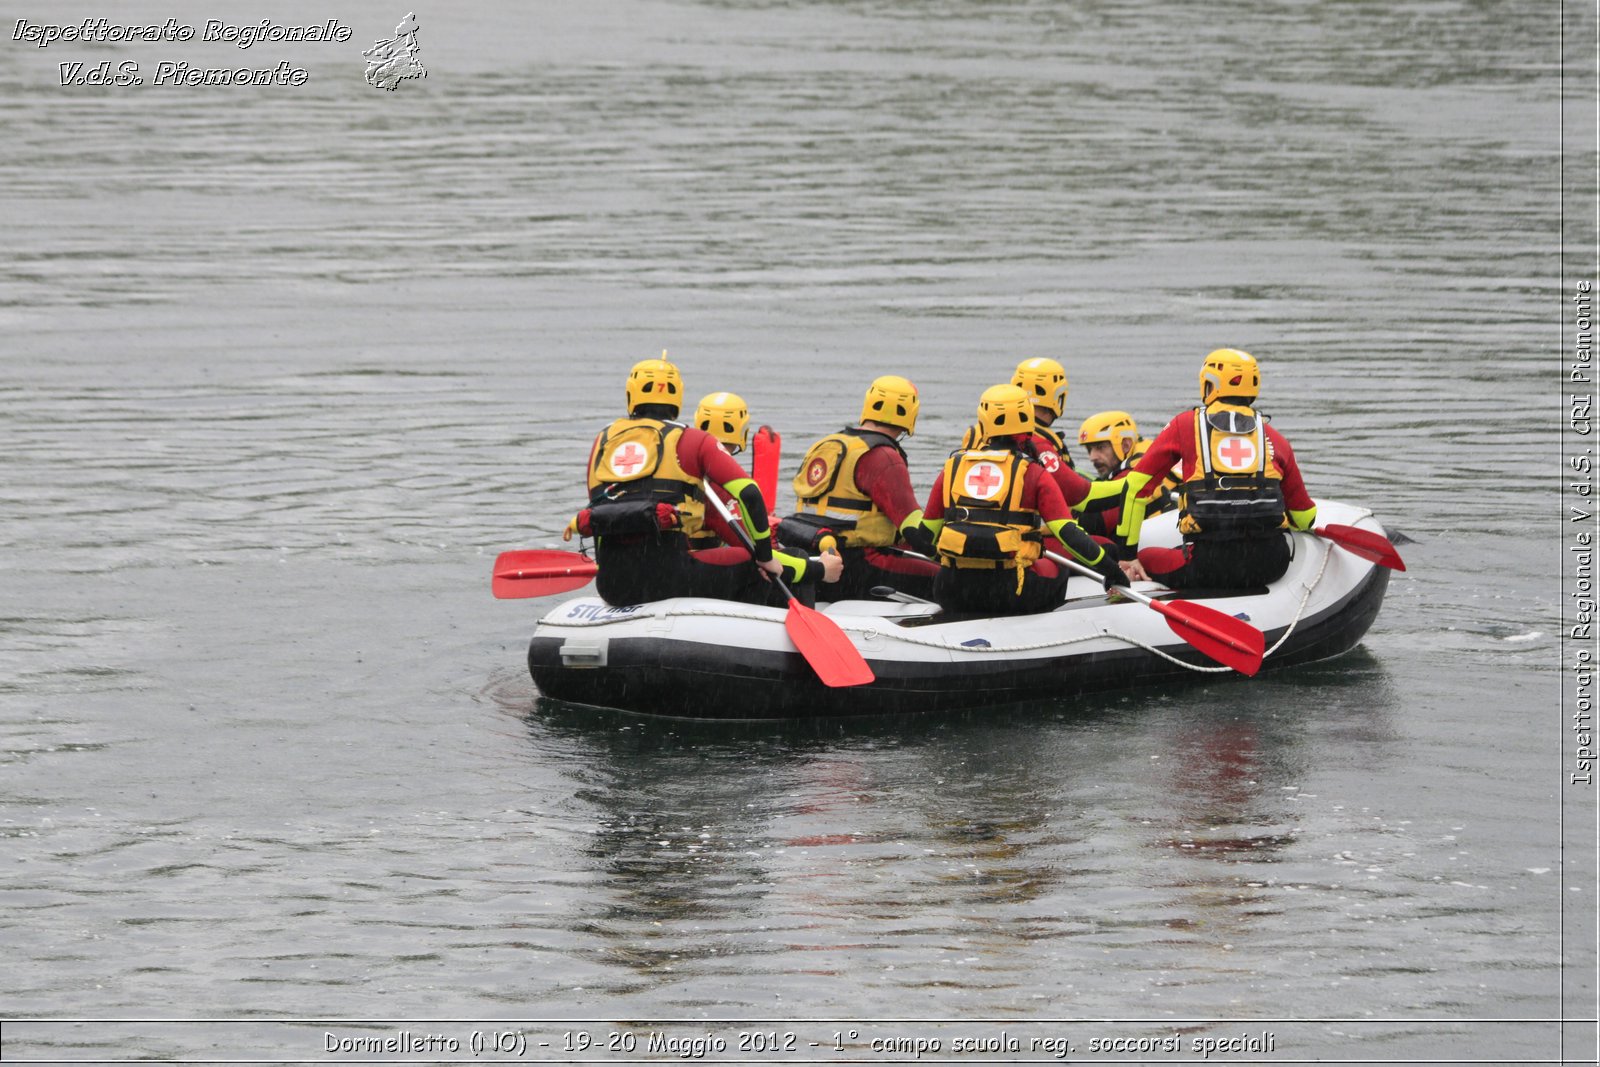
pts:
[289, 367]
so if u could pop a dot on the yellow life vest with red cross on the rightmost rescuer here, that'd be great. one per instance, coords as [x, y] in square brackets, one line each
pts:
[1234, 490]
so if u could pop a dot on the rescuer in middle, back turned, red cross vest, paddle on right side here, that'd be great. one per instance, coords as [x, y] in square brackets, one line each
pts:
[988, 516]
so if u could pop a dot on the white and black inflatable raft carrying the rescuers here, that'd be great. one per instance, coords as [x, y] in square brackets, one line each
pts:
[700, 658]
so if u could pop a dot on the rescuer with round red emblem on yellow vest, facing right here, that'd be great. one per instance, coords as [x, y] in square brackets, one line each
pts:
[855, 487]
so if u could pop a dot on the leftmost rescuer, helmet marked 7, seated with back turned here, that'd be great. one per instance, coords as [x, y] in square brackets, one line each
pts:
[646, 500]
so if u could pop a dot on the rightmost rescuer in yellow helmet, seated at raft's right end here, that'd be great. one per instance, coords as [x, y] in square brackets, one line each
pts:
[1239, 494]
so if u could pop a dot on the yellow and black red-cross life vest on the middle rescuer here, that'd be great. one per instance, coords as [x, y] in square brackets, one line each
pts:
[985, 521]
